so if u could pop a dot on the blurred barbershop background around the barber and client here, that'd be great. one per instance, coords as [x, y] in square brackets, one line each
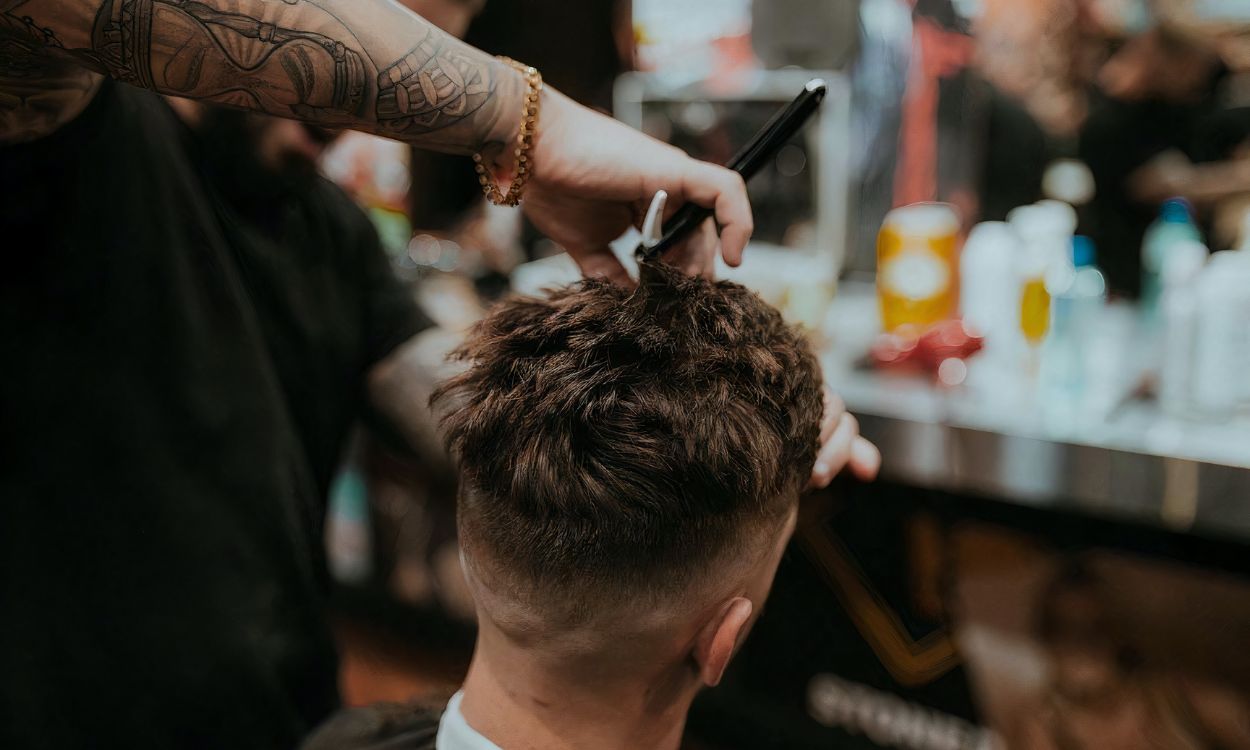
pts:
[1019, 233]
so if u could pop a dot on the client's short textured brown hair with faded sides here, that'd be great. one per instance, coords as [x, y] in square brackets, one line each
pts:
[621, 441]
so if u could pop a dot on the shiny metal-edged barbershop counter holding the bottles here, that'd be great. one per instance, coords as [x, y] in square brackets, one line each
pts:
[1106, 452]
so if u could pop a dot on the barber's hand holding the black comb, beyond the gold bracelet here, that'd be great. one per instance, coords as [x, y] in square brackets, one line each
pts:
[594, 177]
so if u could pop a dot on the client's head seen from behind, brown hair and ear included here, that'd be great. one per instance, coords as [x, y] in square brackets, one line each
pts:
[632, 466]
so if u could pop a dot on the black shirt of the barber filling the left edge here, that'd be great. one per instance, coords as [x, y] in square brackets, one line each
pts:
[161, 514]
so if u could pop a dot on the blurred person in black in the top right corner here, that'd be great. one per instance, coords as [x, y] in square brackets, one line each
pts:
[1162, 118]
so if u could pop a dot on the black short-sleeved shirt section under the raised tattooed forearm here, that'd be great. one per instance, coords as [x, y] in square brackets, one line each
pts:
[326, 296]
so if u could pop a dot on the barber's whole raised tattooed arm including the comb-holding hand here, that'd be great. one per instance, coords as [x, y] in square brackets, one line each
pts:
[368, 66]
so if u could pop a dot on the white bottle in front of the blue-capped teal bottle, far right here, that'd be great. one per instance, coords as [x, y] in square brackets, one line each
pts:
[1182, 272]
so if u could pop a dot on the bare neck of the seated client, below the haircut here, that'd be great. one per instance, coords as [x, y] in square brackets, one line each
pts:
[521, 706]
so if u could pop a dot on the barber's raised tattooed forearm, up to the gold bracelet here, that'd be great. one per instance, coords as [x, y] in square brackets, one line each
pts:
[363, 64]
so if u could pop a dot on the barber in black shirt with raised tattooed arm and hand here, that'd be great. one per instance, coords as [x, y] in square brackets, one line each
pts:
[161, 522]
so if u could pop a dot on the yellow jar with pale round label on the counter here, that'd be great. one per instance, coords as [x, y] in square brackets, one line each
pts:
[918, 266]
